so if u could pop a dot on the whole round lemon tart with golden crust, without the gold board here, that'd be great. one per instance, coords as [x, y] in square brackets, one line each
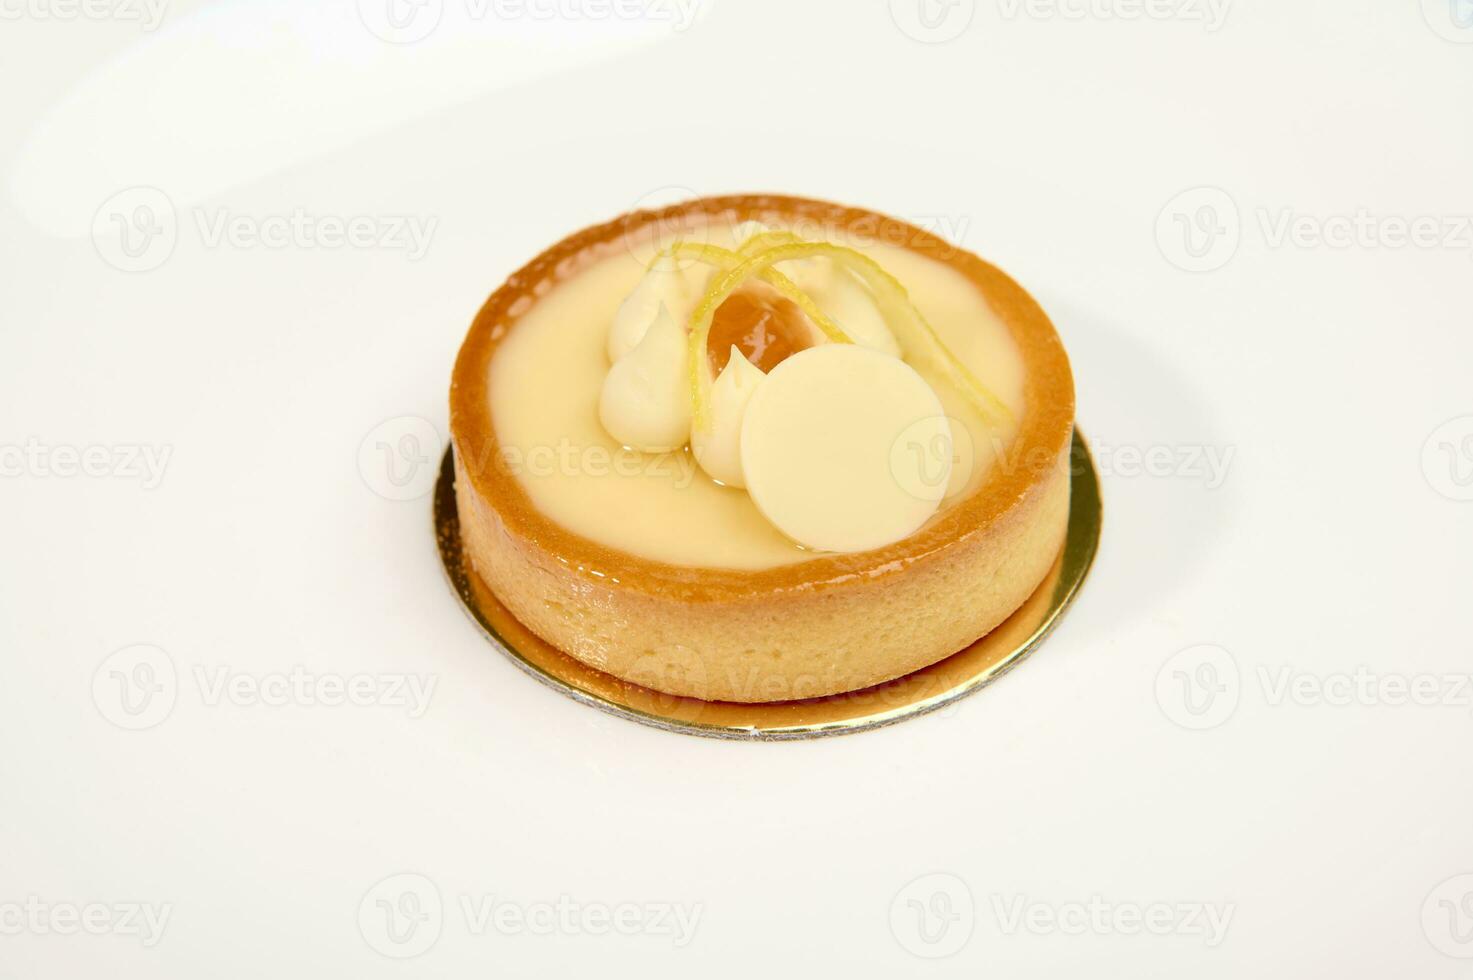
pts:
[761, 449]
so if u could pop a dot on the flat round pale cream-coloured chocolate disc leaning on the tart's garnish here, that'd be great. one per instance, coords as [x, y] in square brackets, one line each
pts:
[820, 443]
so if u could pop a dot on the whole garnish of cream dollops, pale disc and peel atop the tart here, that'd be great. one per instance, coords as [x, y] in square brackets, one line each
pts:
[793, 377]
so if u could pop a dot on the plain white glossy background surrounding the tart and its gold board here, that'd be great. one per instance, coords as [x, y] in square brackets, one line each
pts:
[1055, 141]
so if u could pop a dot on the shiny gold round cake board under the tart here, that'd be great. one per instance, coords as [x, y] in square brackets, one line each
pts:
[926, 690]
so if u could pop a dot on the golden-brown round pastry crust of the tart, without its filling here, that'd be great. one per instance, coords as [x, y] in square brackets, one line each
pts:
[821, 627]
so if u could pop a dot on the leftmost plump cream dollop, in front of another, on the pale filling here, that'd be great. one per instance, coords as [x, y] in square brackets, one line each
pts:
[646, 403]
